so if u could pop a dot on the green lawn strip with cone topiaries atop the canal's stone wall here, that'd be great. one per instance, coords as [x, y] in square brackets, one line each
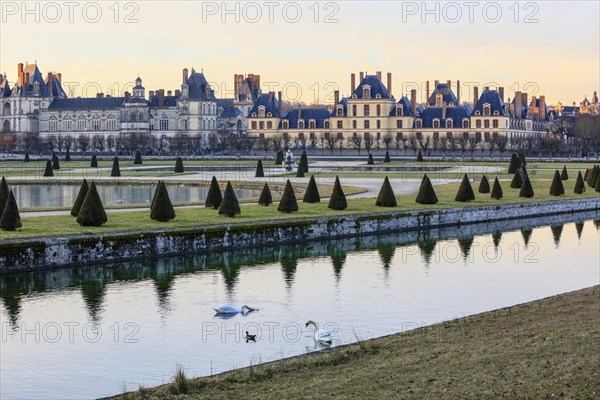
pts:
[187, 217]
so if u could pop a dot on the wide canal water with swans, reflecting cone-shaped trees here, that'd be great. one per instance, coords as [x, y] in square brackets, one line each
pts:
[99, 330]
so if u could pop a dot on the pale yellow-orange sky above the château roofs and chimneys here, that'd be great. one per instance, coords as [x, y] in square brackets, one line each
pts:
[553, 48]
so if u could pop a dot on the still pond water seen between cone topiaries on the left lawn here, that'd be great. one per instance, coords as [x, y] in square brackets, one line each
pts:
[64, 195]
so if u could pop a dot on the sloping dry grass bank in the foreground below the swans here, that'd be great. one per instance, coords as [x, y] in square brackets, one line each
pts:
[540, 350]
